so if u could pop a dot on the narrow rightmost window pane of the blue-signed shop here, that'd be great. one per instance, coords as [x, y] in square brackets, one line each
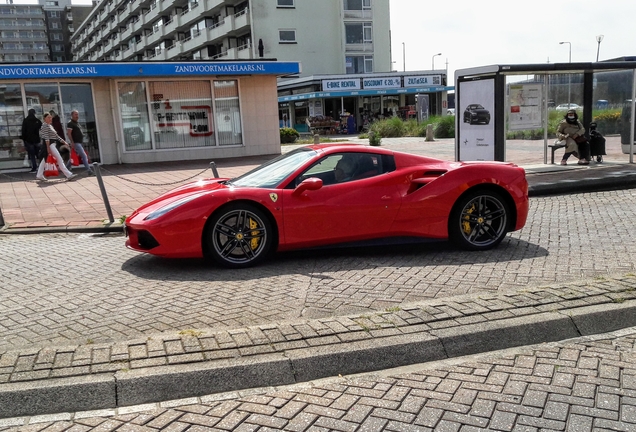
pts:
[228, 113]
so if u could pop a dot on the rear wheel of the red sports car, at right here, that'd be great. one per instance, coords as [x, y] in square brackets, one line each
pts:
[479, 220]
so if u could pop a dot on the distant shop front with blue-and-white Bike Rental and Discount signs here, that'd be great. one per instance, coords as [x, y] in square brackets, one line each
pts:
[348, 104]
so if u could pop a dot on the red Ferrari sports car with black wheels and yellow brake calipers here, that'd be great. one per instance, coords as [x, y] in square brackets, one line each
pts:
[333, 194]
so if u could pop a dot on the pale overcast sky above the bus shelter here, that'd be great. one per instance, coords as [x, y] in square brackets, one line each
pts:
[471, 33]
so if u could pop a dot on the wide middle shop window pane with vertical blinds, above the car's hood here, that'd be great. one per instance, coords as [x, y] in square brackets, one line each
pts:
[181, 114]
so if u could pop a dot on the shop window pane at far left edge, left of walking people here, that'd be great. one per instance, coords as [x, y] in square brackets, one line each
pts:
[12, 151]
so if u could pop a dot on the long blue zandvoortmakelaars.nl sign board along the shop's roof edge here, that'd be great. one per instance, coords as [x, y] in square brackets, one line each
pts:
[145, 69]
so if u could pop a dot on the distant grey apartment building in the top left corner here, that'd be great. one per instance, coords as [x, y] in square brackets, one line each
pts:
[38, 32]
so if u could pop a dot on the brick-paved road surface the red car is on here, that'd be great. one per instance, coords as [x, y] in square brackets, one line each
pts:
[95, 290]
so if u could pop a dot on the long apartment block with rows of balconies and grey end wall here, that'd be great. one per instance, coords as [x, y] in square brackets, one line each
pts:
[326, 36]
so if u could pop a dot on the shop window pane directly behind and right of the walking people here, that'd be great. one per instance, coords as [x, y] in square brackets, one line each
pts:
[79, 97]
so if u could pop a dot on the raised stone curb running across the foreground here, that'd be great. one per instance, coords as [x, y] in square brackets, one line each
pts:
[288, 366]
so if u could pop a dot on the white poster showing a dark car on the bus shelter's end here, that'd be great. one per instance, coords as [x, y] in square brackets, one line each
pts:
[476, 129]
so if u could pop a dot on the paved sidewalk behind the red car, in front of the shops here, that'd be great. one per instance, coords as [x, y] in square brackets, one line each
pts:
[30, 206]
